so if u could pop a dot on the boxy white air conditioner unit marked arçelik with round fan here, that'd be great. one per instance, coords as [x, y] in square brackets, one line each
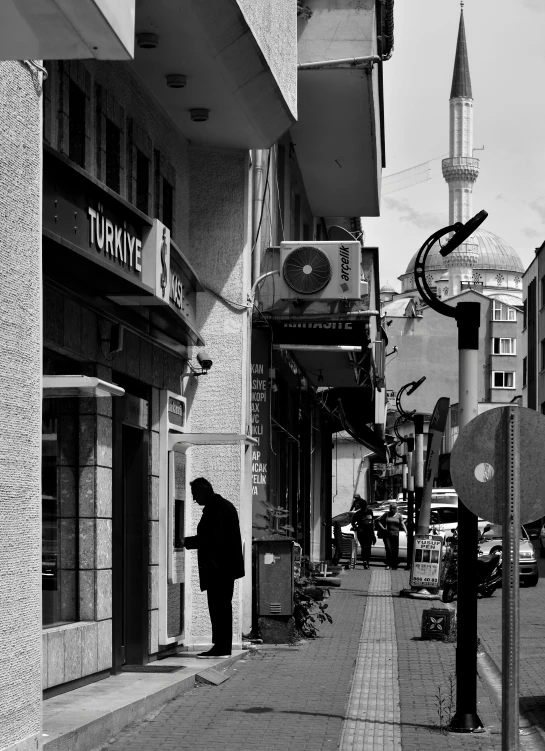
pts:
[321, 271]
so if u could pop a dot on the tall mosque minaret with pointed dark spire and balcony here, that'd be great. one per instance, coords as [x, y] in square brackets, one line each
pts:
[460, 170]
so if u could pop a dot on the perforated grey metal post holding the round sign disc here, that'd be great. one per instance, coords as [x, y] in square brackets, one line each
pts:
[510, 583]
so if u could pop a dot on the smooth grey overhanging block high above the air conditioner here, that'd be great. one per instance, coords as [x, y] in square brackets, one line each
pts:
[337, 140]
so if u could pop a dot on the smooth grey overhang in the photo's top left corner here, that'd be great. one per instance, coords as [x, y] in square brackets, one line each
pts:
[67, 29]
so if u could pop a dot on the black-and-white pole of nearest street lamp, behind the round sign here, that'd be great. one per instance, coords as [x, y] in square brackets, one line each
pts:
[466, 719]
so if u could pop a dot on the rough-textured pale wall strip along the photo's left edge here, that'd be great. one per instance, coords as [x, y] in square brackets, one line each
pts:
[20, 407]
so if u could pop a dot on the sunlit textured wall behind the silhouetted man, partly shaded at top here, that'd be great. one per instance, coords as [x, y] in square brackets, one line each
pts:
[218, 235]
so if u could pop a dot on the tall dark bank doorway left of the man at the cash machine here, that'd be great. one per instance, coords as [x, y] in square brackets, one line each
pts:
[130, 531]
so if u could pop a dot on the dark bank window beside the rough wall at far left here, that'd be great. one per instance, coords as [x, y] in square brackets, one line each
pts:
[59, 520]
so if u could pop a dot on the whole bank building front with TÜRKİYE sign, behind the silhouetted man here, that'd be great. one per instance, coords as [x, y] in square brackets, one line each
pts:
[128, 194]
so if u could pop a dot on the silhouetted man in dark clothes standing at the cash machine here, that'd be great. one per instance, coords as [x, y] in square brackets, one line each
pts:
[219, 550]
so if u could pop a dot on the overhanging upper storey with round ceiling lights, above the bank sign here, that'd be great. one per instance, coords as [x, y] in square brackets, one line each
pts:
[228, 68]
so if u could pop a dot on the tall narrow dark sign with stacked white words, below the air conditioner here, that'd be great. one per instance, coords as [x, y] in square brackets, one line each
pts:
[260, 428]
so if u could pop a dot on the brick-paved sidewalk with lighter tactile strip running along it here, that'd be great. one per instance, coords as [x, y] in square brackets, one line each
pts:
[304, 698]
